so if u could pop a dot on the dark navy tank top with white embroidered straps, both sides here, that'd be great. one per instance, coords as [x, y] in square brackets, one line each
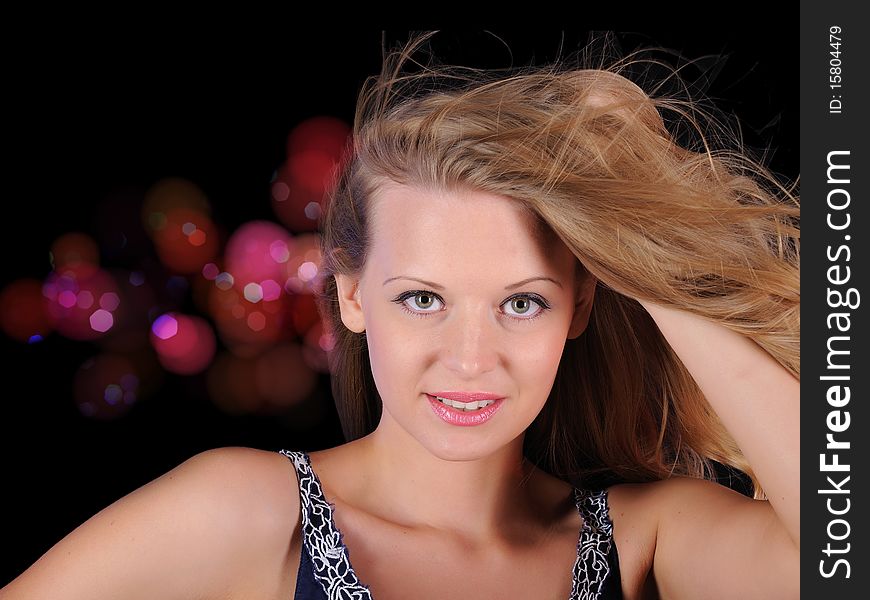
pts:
[325, 571]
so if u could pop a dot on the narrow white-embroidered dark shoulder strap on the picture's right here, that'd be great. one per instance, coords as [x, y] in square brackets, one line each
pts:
[592, 567]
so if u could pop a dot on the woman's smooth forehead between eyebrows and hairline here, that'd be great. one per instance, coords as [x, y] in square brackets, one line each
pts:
[469, 227]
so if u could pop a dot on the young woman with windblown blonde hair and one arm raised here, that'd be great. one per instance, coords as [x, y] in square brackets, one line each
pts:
[550, 320]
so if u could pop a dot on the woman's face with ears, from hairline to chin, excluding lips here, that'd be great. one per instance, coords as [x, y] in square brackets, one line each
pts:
[458, 294]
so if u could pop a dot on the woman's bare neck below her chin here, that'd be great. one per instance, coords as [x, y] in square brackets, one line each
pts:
[473, 496]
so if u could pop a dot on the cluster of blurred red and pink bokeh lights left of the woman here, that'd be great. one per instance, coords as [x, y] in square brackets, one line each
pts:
[191, 298]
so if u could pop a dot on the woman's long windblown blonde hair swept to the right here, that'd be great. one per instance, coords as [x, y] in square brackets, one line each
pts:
[704, 229]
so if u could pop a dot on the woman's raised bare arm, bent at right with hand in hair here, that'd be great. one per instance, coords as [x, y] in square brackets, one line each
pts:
[706, 531]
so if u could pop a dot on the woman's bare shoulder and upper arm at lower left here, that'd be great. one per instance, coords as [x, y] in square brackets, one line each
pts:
[221, 524]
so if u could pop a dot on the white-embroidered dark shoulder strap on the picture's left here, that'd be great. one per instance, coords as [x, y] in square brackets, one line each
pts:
[321, 537]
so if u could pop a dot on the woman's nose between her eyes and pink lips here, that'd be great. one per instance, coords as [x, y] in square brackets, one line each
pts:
[471, 342]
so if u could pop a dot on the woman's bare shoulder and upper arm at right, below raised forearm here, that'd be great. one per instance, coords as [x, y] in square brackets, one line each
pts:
[675, 517]
